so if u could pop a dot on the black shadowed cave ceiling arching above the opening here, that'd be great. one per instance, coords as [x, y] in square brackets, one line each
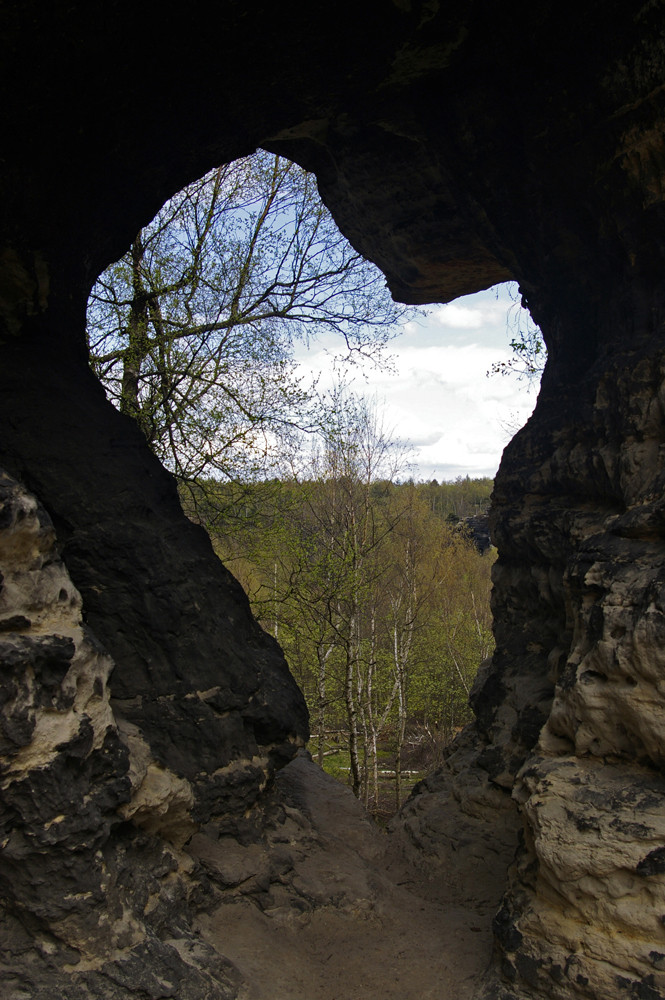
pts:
[457, 145]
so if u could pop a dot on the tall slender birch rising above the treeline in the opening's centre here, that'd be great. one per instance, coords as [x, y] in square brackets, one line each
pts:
[337, 582]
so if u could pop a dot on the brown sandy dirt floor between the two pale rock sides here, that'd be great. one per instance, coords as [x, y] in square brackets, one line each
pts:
[330, 907]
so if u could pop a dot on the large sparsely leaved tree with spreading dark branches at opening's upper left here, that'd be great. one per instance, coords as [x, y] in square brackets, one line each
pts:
[192, 331]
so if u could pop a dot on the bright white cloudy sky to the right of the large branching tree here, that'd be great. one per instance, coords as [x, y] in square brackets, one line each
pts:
[439, 397]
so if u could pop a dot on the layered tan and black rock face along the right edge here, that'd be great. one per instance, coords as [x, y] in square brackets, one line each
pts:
[584, 912]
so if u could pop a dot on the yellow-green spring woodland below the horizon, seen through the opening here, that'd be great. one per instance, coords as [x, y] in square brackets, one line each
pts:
[380, 603]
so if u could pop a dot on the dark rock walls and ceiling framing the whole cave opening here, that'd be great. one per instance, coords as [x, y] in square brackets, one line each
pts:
[456, 148]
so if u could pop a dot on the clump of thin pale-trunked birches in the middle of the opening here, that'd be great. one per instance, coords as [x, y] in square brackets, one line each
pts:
[322, 578]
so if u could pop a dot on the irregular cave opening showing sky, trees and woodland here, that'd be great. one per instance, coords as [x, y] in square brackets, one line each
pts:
[231, 332]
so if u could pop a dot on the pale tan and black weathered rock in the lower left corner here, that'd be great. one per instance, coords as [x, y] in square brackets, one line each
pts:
[95, 887]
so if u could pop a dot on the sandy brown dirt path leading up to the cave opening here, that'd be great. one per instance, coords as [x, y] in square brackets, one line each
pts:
[356, 916]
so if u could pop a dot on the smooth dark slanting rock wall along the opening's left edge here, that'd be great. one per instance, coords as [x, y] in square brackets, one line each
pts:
[195, 676]
